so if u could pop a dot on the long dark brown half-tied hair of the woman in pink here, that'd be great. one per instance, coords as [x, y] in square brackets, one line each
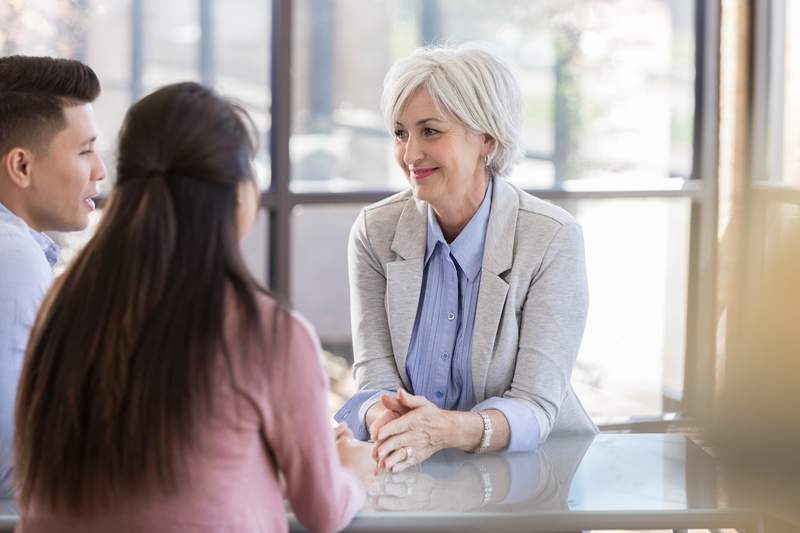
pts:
[120, 363]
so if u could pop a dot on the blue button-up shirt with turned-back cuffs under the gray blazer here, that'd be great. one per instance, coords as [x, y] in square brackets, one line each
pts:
[439, 362]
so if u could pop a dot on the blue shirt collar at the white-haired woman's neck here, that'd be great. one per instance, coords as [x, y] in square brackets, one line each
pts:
[467, 248]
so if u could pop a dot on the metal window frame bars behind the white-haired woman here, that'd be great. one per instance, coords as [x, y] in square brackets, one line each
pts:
[700, 187]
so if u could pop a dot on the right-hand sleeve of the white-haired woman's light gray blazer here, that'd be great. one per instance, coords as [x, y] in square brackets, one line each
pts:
[551, 328]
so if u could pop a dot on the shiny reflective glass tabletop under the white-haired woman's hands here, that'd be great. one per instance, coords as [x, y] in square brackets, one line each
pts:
[633, 473]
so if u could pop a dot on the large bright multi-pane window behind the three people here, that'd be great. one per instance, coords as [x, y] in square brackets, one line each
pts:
[614, 114]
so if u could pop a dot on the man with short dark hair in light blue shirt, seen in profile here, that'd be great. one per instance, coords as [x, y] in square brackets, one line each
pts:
[48, 175]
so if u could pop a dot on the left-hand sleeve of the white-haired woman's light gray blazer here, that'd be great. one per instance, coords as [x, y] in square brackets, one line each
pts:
[374, 366]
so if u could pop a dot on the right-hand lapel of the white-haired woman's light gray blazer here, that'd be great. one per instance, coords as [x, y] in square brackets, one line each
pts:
[498, 256]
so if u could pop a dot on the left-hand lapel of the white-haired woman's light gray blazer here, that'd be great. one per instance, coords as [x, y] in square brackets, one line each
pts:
[404, 280]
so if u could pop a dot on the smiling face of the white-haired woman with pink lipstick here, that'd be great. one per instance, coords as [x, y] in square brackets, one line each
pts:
[441, 158]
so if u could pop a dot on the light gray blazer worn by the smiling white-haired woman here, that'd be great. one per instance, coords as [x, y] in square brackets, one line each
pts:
[531, 311]
